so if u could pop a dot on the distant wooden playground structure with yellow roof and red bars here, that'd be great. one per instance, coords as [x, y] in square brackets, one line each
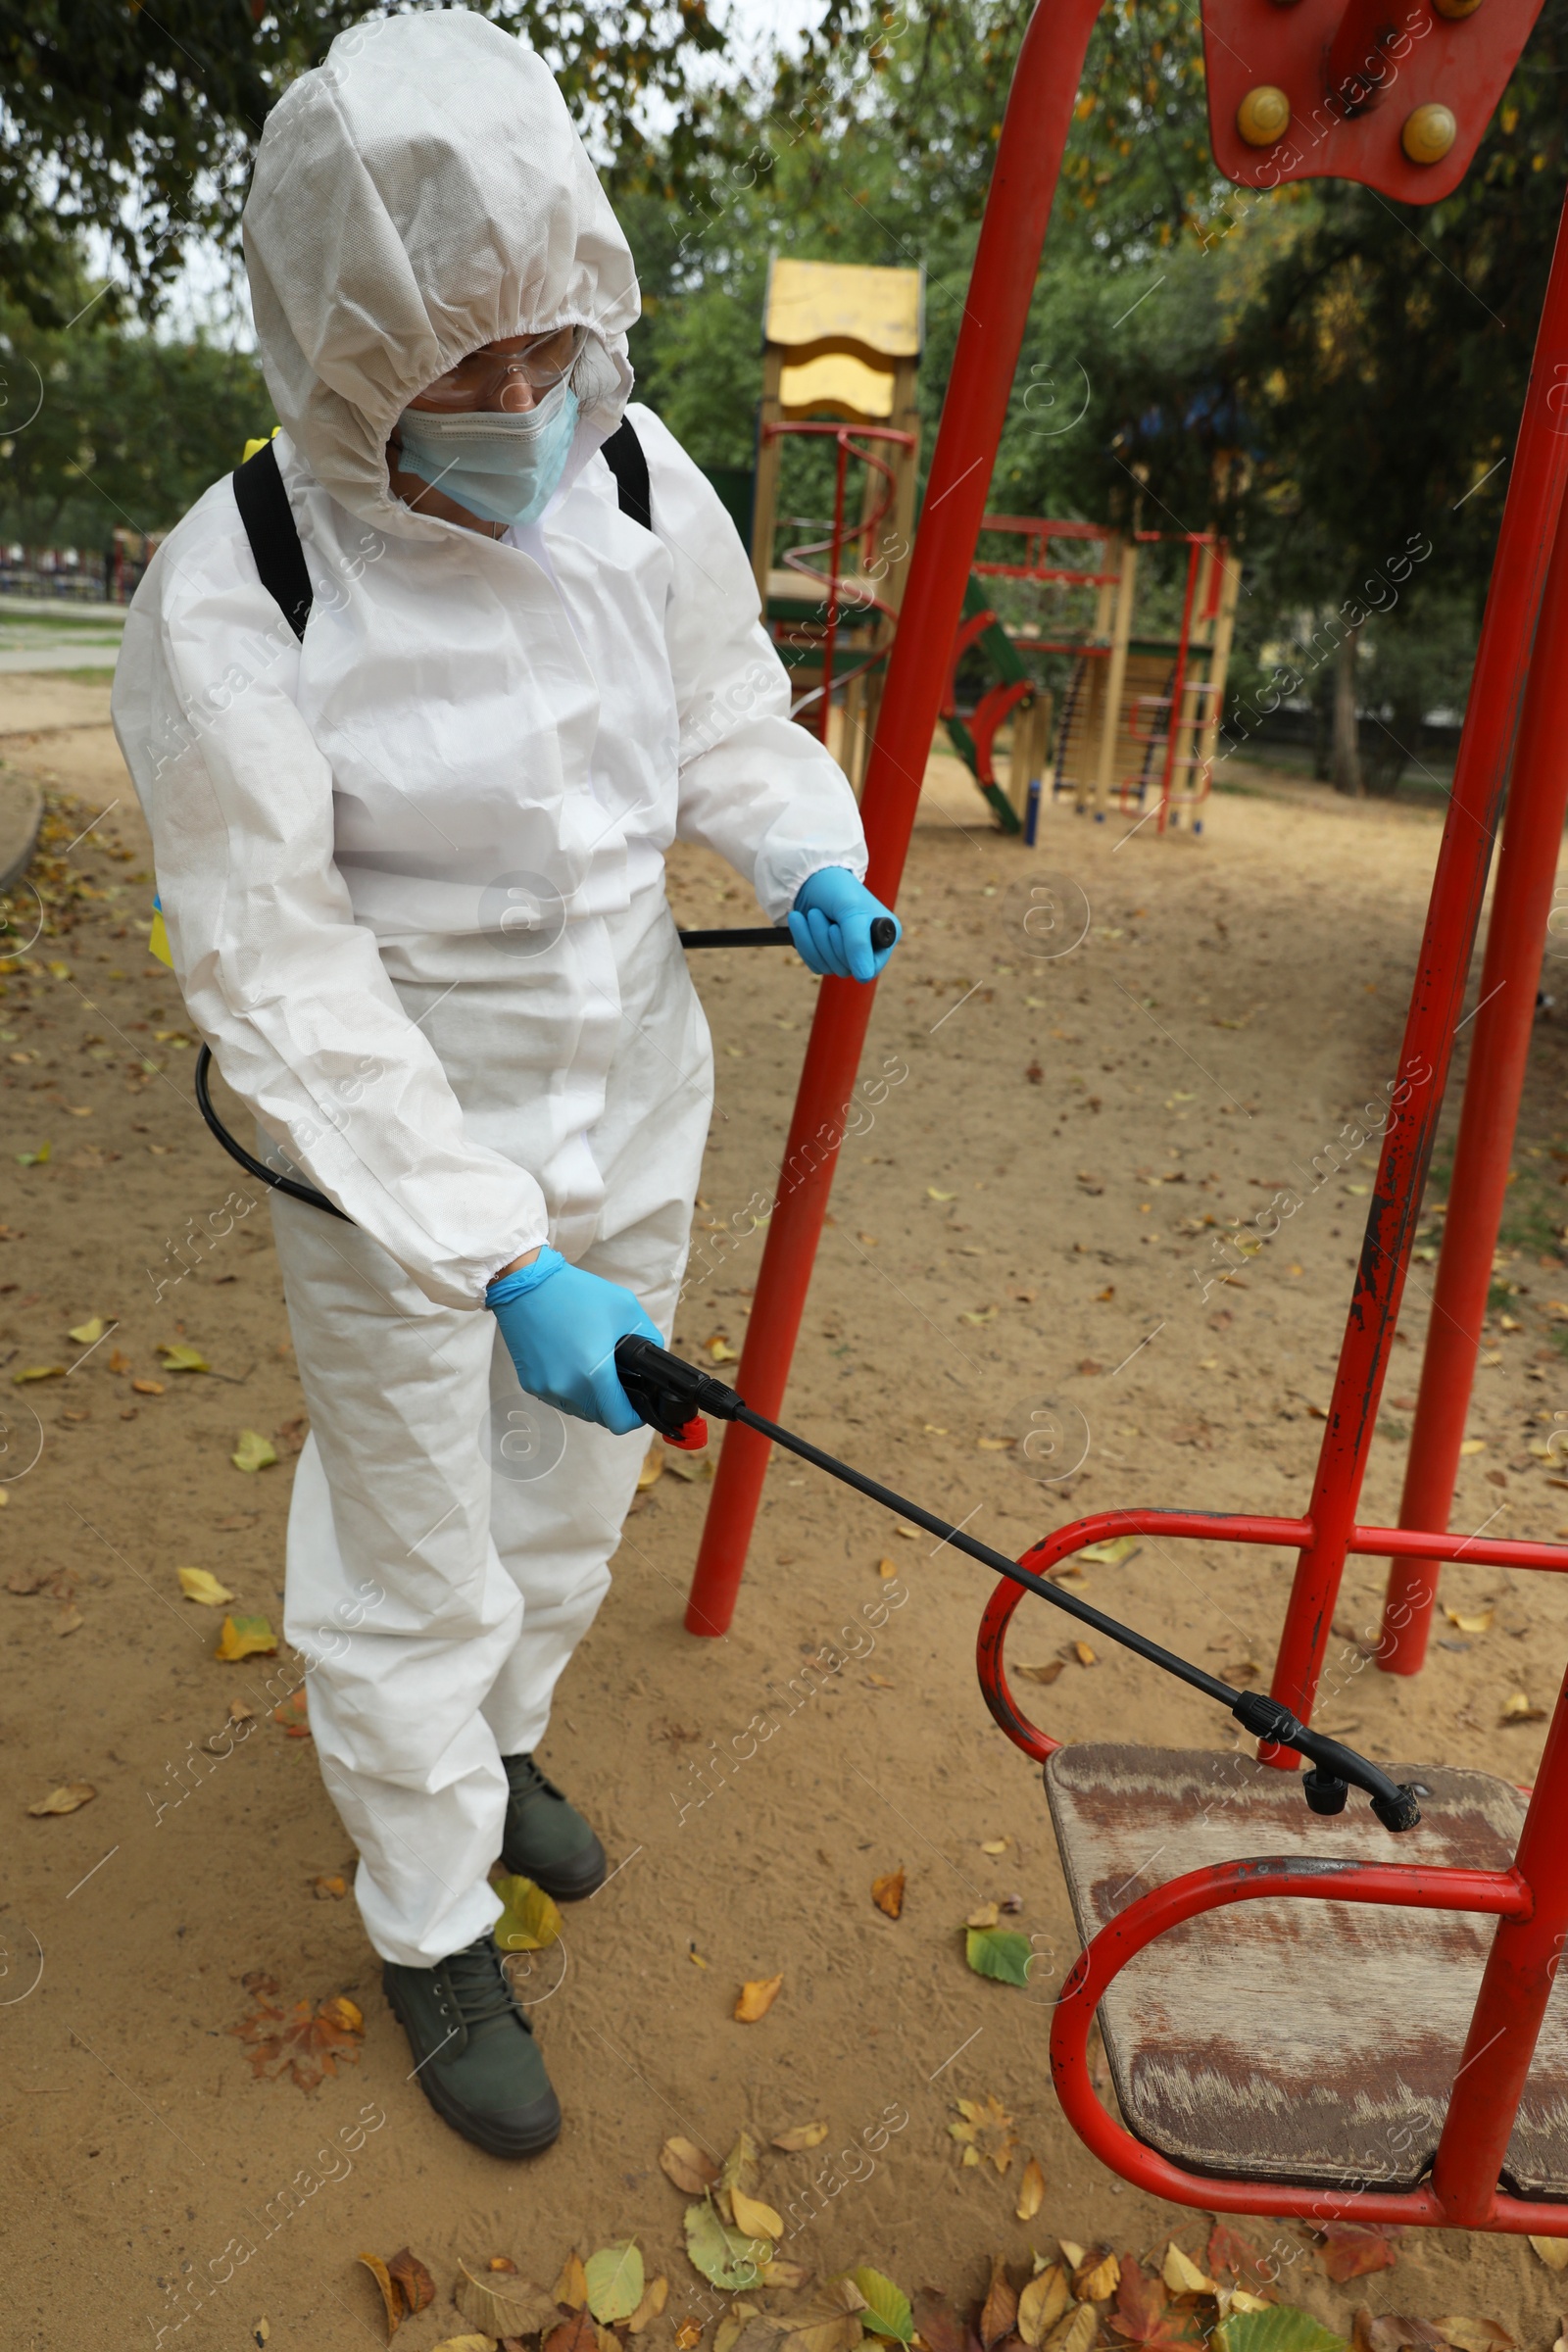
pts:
[1139, 719]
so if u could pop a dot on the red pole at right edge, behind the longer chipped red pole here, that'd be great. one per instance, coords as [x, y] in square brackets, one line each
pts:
[1510, 975]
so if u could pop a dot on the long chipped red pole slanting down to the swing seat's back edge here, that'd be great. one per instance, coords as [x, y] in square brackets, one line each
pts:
[1459, 886]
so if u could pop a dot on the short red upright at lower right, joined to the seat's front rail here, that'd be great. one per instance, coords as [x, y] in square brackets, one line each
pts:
[1515, 1991]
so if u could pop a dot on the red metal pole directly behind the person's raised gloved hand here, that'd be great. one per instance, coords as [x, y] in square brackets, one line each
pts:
[996, 316]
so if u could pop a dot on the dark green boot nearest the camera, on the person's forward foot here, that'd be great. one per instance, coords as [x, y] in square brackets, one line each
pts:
[474, 2050]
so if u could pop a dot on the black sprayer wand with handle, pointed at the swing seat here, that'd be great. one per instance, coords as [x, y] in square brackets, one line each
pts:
[671, 1396]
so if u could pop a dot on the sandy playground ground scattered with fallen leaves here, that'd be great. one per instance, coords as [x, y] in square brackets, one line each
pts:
[1021, 1227]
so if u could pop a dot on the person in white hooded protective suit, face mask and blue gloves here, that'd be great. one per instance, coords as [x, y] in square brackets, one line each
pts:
[413, 878]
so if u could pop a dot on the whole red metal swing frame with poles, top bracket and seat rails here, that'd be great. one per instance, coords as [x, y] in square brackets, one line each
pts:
[1515, 728]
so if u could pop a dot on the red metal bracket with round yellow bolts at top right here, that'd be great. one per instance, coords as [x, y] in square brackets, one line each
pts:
[1358, 88]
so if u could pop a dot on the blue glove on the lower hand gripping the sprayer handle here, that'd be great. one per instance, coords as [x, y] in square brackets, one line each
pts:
[561, 1330]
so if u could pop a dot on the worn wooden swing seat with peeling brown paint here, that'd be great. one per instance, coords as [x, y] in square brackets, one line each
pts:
[1285, 2040]
